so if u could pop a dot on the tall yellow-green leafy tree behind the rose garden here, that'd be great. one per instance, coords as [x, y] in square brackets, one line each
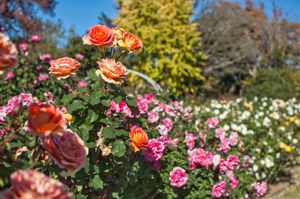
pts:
[172, 46]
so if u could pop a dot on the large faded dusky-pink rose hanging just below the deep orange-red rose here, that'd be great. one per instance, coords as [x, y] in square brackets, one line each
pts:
[67, 149]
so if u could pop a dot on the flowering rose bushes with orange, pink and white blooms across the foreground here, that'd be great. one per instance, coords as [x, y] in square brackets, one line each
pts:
[102, 143]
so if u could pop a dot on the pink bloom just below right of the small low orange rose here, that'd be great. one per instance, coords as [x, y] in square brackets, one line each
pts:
[154, 151]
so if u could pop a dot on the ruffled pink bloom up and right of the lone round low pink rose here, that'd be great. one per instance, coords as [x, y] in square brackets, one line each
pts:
[199, 157]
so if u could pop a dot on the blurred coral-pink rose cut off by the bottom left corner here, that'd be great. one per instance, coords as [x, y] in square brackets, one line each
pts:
[29, 184]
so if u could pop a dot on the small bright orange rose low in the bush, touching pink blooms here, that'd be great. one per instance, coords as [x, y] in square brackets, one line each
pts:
[138, 138]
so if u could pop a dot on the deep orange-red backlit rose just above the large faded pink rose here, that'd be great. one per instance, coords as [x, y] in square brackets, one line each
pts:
[43, 119]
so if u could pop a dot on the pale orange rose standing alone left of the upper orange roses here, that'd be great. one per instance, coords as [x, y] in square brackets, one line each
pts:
[64, 67]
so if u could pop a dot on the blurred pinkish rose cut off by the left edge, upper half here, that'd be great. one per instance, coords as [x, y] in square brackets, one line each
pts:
[8, 53]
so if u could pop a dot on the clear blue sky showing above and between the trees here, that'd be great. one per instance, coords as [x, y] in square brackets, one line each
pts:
[81, 14]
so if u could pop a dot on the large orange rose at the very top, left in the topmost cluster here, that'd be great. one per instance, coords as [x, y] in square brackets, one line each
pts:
[99, 35]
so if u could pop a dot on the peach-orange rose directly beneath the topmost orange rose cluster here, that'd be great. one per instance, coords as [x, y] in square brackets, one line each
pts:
[111, 71]
